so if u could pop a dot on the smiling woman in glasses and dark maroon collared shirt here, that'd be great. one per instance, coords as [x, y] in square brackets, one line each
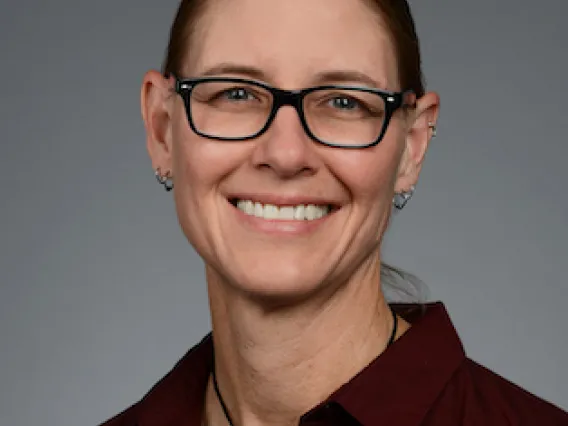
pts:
[286, 129]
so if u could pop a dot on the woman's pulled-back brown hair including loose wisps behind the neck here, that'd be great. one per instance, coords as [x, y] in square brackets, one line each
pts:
[397, 284]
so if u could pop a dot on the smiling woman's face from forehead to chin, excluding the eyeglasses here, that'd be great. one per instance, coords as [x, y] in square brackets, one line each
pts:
[288, 44]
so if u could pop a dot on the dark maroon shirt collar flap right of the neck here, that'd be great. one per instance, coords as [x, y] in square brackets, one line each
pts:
[402, 384]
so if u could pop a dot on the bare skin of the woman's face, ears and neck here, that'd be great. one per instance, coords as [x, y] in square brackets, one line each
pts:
[295, 315]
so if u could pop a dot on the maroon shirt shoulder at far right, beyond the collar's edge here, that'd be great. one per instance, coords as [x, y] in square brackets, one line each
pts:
[477, 395]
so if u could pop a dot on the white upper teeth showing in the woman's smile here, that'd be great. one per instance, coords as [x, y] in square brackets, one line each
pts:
[272, 212]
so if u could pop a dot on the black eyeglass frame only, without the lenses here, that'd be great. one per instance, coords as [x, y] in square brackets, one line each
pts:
[295, 99]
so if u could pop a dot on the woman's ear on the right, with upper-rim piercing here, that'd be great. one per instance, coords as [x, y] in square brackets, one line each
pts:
[418, 136]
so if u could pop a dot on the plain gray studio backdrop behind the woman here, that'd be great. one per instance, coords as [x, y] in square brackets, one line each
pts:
[100, 293]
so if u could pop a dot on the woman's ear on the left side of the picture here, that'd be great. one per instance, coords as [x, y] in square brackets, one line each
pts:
[156, 103]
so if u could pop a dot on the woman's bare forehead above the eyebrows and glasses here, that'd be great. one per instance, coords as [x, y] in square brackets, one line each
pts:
[293, 40]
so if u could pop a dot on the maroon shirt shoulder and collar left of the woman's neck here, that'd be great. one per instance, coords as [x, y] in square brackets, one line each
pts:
[177, 394]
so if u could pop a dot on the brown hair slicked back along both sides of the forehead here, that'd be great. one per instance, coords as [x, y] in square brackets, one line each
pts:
[395, 13]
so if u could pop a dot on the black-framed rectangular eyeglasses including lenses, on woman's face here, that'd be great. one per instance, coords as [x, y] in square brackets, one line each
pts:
[234, 109]
